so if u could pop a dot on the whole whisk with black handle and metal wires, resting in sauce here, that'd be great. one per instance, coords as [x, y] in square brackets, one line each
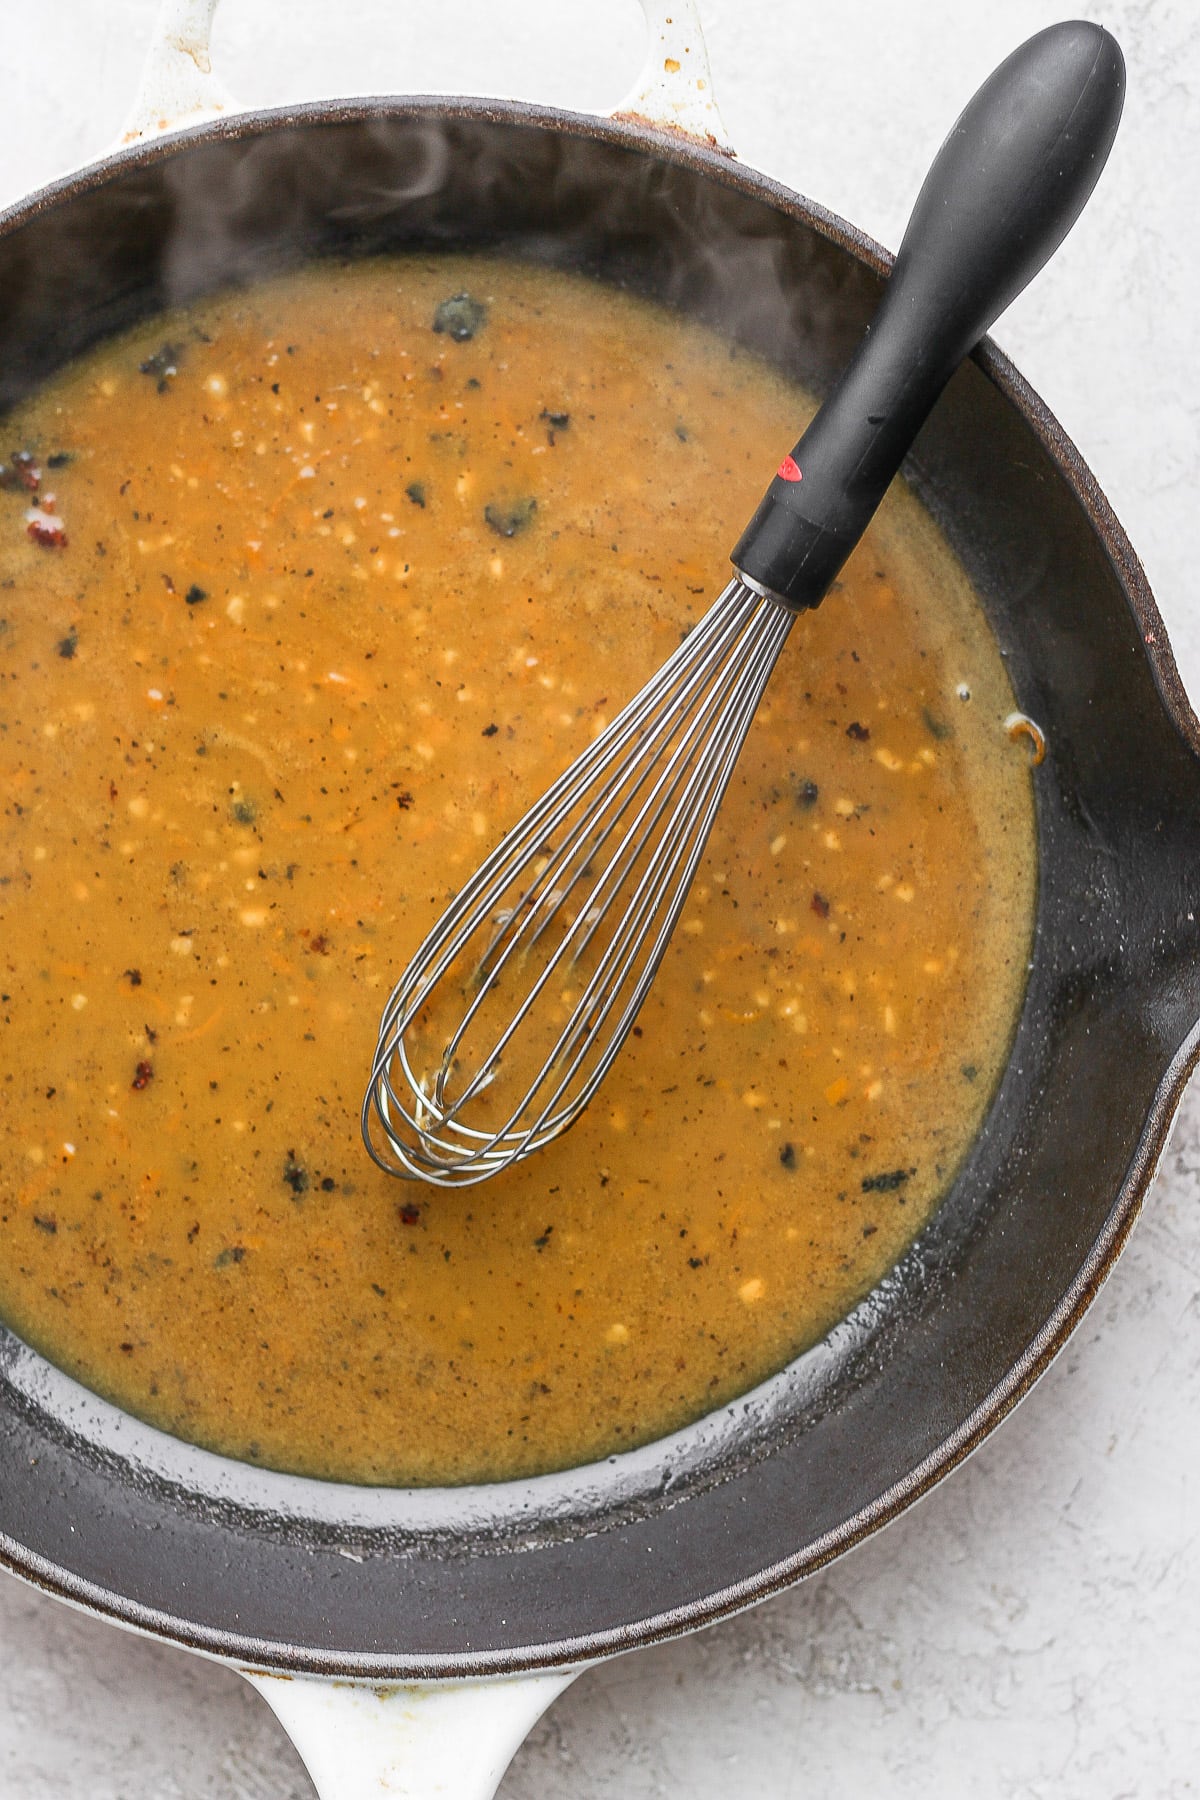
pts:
[519, 1002]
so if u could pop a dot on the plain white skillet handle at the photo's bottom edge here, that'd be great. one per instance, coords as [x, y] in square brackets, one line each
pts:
[442, 1741]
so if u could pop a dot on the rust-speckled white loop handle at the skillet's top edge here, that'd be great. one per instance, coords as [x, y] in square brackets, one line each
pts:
[179, 87]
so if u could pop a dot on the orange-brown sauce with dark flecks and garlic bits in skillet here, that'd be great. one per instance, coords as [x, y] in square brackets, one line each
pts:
[303, 597]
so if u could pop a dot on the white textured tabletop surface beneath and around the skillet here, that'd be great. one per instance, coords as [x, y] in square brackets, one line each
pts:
[1034, 1630]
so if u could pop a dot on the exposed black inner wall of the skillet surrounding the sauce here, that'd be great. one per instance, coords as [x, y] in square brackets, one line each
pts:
[309, 1576]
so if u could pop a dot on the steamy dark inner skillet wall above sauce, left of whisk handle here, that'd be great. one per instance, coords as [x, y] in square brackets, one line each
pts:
[237, 204]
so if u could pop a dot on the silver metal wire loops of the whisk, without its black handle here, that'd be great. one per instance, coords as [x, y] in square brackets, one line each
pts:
[517, 1003]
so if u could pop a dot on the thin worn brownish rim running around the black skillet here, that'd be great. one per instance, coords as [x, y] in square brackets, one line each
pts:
[1021, 1376]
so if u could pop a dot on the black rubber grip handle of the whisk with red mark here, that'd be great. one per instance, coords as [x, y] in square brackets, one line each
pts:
[1003, 193]
